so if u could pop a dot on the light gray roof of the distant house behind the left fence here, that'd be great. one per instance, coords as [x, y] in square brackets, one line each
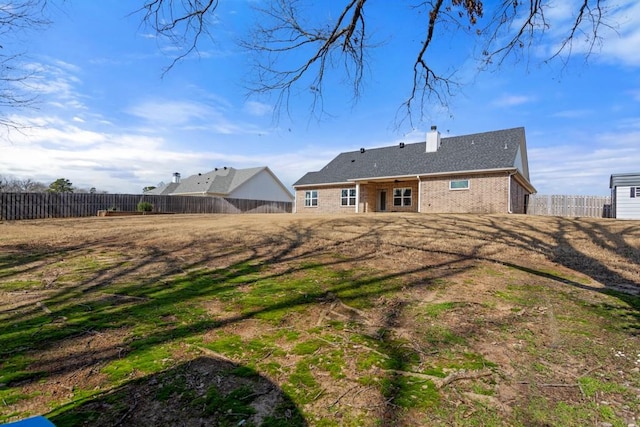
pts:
[220, 181]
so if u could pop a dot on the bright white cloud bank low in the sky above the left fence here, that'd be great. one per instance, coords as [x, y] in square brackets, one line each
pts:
[125, 161]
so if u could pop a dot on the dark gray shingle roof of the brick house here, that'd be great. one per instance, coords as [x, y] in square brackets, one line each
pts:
[480, 151]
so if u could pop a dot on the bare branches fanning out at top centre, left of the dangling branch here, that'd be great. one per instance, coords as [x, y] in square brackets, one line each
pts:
[284, 38]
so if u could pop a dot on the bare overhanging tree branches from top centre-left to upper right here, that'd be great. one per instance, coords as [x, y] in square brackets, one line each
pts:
[293, 51]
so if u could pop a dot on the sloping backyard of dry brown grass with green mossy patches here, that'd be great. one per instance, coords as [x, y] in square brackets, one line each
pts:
[320, 320]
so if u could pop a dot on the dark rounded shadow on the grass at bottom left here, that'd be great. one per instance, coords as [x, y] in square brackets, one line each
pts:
[203, 391]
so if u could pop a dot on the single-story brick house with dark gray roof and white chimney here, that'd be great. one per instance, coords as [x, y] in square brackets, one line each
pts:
[480, 173]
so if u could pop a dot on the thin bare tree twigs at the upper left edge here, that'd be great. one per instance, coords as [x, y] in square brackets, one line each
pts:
[17, 18]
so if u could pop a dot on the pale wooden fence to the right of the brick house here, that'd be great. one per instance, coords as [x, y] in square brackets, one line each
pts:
[557, 205]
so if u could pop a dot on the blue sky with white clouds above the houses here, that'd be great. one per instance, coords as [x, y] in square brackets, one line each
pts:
[106, 116]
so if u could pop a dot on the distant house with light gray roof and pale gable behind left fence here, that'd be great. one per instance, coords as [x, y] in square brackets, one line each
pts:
[252, 183]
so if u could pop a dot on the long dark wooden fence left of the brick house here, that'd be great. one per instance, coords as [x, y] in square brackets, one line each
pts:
[16, 206]
